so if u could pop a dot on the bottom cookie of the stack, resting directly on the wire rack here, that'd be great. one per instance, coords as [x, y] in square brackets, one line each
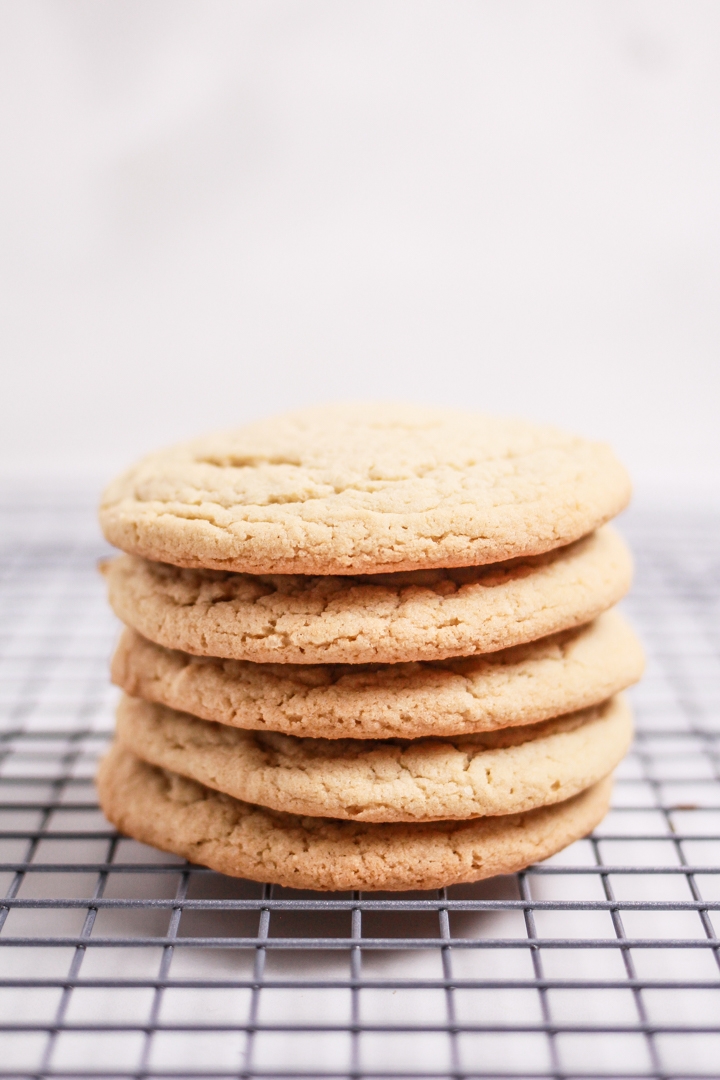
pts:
[191, 820]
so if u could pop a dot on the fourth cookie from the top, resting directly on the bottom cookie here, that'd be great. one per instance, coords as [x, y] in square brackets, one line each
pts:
[497, 773]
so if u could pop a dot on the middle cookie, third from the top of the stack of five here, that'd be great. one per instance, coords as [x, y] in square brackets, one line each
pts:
[528, 683]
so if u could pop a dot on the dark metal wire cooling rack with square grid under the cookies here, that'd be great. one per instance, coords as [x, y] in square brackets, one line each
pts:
[119, 961]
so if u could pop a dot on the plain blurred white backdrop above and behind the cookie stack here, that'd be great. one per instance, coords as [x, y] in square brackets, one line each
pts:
[213, 211]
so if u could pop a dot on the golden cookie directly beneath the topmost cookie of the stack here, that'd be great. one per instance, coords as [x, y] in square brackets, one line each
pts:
[428, 615]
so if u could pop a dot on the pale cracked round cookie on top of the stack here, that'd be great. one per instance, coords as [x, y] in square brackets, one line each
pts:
[364, 489]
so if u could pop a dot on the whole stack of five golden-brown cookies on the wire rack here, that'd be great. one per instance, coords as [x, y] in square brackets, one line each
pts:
[369, 647]
